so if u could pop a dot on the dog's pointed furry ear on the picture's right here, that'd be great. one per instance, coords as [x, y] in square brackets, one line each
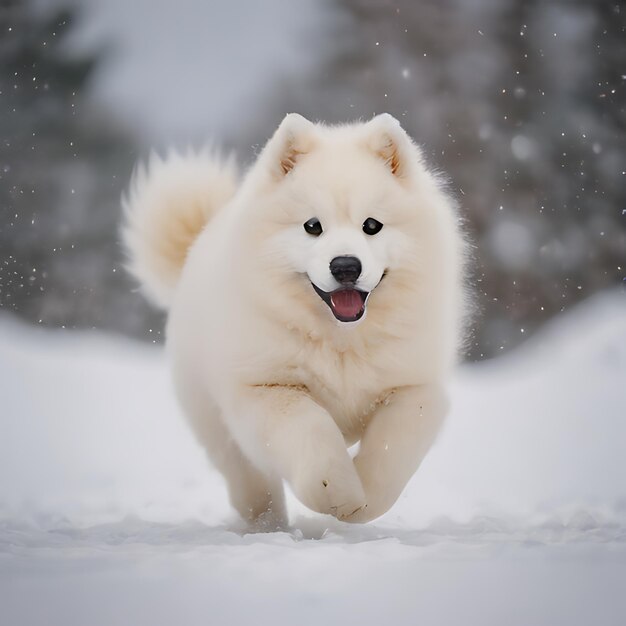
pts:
[388, 140]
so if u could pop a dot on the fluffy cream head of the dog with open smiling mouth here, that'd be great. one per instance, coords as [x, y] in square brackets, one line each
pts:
[343, 212]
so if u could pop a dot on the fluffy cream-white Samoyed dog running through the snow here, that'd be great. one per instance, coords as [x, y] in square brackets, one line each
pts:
[316, 305]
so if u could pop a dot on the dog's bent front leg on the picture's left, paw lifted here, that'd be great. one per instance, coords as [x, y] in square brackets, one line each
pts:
[287, 434]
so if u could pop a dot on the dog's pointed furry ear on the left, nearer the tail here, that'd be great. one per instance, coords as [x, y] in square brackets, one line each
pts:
[292, 139]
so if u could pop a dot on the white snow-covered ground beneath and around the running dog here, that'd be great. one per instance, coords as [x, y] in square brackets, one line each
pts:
[109, 513]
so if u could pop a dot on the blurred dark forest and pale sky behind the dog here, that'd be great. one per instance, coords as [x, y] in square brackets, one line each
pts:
[520, 102]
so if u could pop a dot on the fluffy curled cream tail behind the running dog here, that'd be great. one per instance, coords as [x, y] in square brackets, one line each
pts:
[166, 207]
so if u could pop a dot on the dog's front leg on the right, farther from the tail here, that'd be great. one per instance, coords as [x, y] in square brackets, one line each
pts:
[394, 444]
